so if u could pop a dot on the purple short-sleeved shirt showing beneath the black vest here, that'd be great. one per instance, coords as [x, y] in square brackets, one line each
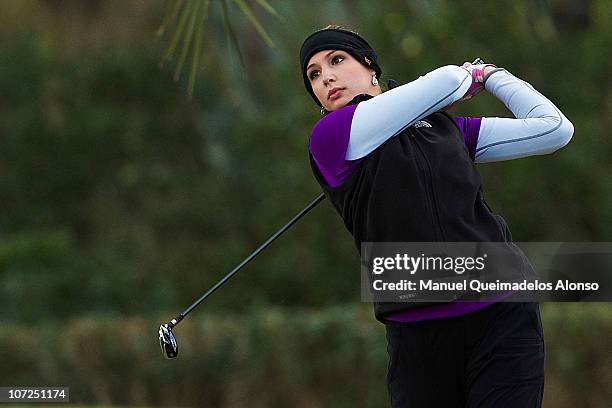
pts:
[328, 144]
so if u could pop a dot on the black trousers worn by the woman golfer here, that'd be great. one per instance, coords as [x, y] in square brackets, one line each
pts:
[490, 358]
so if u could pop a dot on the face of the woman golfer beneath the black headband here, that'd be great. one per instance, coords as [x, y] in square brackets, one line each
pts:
[336, 78]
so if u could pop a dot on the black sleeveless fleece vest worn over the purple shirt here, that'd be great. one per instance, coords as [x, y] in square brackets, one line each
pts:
[418, 186]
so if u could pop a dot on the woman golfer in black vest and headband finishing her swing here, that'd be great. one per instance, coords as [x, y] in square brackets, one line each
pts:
[397, 168]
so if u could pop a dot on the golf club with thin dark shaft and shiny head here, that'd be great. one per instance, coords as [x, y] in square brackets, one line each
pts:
[167, 341]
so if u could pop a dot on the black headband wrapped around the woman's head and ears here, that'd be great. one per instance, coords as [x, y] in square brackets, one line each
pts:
[336, 39]
